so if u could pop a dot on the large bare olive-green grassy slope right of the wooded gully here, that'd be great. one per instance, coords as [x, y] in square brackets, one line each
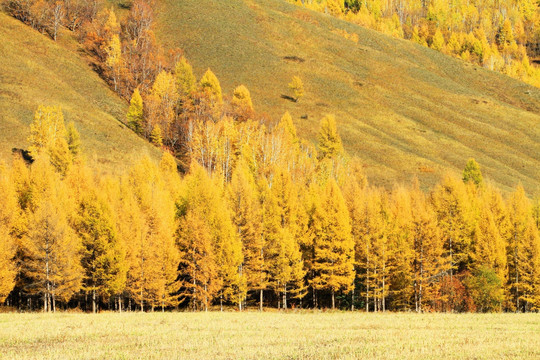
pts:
[404, 109]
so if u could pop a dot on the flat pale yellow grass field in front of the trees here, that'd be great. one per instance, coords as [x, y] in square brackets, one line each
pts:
[252, 335]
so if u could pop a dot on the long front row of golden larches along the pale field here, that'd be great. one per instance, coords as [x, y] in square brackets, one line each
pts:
[261, 218]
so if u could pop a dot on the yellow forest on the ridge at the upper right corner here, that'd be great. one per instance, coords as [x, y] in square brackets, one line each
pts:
[499, 35]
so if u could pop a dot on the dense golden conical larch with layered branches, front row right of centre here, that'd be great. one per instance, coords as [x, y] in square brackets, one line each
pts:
[333, 263]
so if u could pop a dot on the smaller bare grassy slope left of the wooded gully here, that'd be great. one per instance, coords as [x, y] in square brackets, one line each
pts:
[34, 70]
